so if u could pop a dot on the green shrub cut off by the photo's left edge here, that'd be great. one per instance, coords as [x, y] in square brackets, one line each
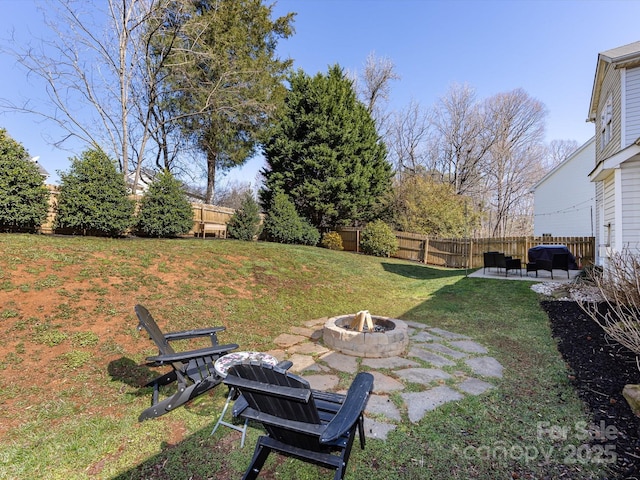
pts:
[23, 196]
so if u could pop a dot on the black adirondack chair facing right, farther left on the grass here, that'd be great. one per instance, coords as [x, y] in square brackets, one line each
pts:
[192, 370]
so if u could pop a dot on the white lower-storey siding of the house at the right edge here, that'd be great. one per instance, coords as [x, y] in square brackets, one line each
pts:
[630, 205]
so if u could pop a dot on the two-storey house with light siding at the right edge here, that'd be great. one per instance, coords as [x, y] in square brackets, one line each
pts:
[615, 110]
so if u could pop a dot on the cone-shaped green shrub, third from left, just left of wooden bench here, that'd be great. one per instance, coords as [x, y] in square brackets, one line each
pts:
[165, 210]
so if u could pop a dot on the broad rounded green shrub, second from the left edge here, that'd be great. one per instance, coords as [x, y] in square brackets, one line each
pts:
[93, 197]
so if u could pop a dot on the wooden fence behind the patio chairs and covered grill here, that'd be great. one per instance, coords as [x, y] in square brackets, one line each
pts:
[468, 252]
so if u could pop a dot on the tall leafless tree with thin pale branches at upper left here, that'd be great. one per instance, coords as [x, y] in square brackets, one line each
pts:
[88, 66]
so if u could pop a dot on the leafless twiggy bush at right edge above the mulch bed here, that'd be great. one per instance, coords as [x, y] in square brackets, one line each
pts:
[619, 285]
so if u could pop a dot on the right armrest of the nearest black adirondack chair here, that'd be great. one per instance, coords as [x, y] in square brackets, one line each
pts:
[351, 410]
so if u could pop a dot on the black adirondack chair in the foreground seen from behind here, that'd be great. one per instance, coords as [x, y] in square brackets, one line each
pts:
[310, 425]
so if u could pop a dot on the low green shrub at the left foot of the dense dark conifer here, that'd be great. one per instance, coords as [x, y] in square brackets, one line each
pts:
[283, 224]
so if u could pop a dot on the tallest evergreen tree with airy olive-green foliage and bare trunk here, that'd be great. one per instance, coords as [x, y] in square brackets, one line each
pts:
[223, 79]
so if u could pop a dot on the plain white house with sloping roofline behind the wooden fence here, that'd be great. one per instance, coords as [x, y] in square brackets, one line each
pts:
[564, 199]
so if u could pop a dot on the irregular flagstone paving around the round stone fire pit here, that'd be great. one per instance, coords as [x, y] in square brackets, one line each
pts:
[441, 366]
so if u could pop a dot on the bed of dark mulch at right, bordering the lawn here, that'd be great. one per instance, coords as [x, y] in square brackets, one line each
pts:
[600, 370]
